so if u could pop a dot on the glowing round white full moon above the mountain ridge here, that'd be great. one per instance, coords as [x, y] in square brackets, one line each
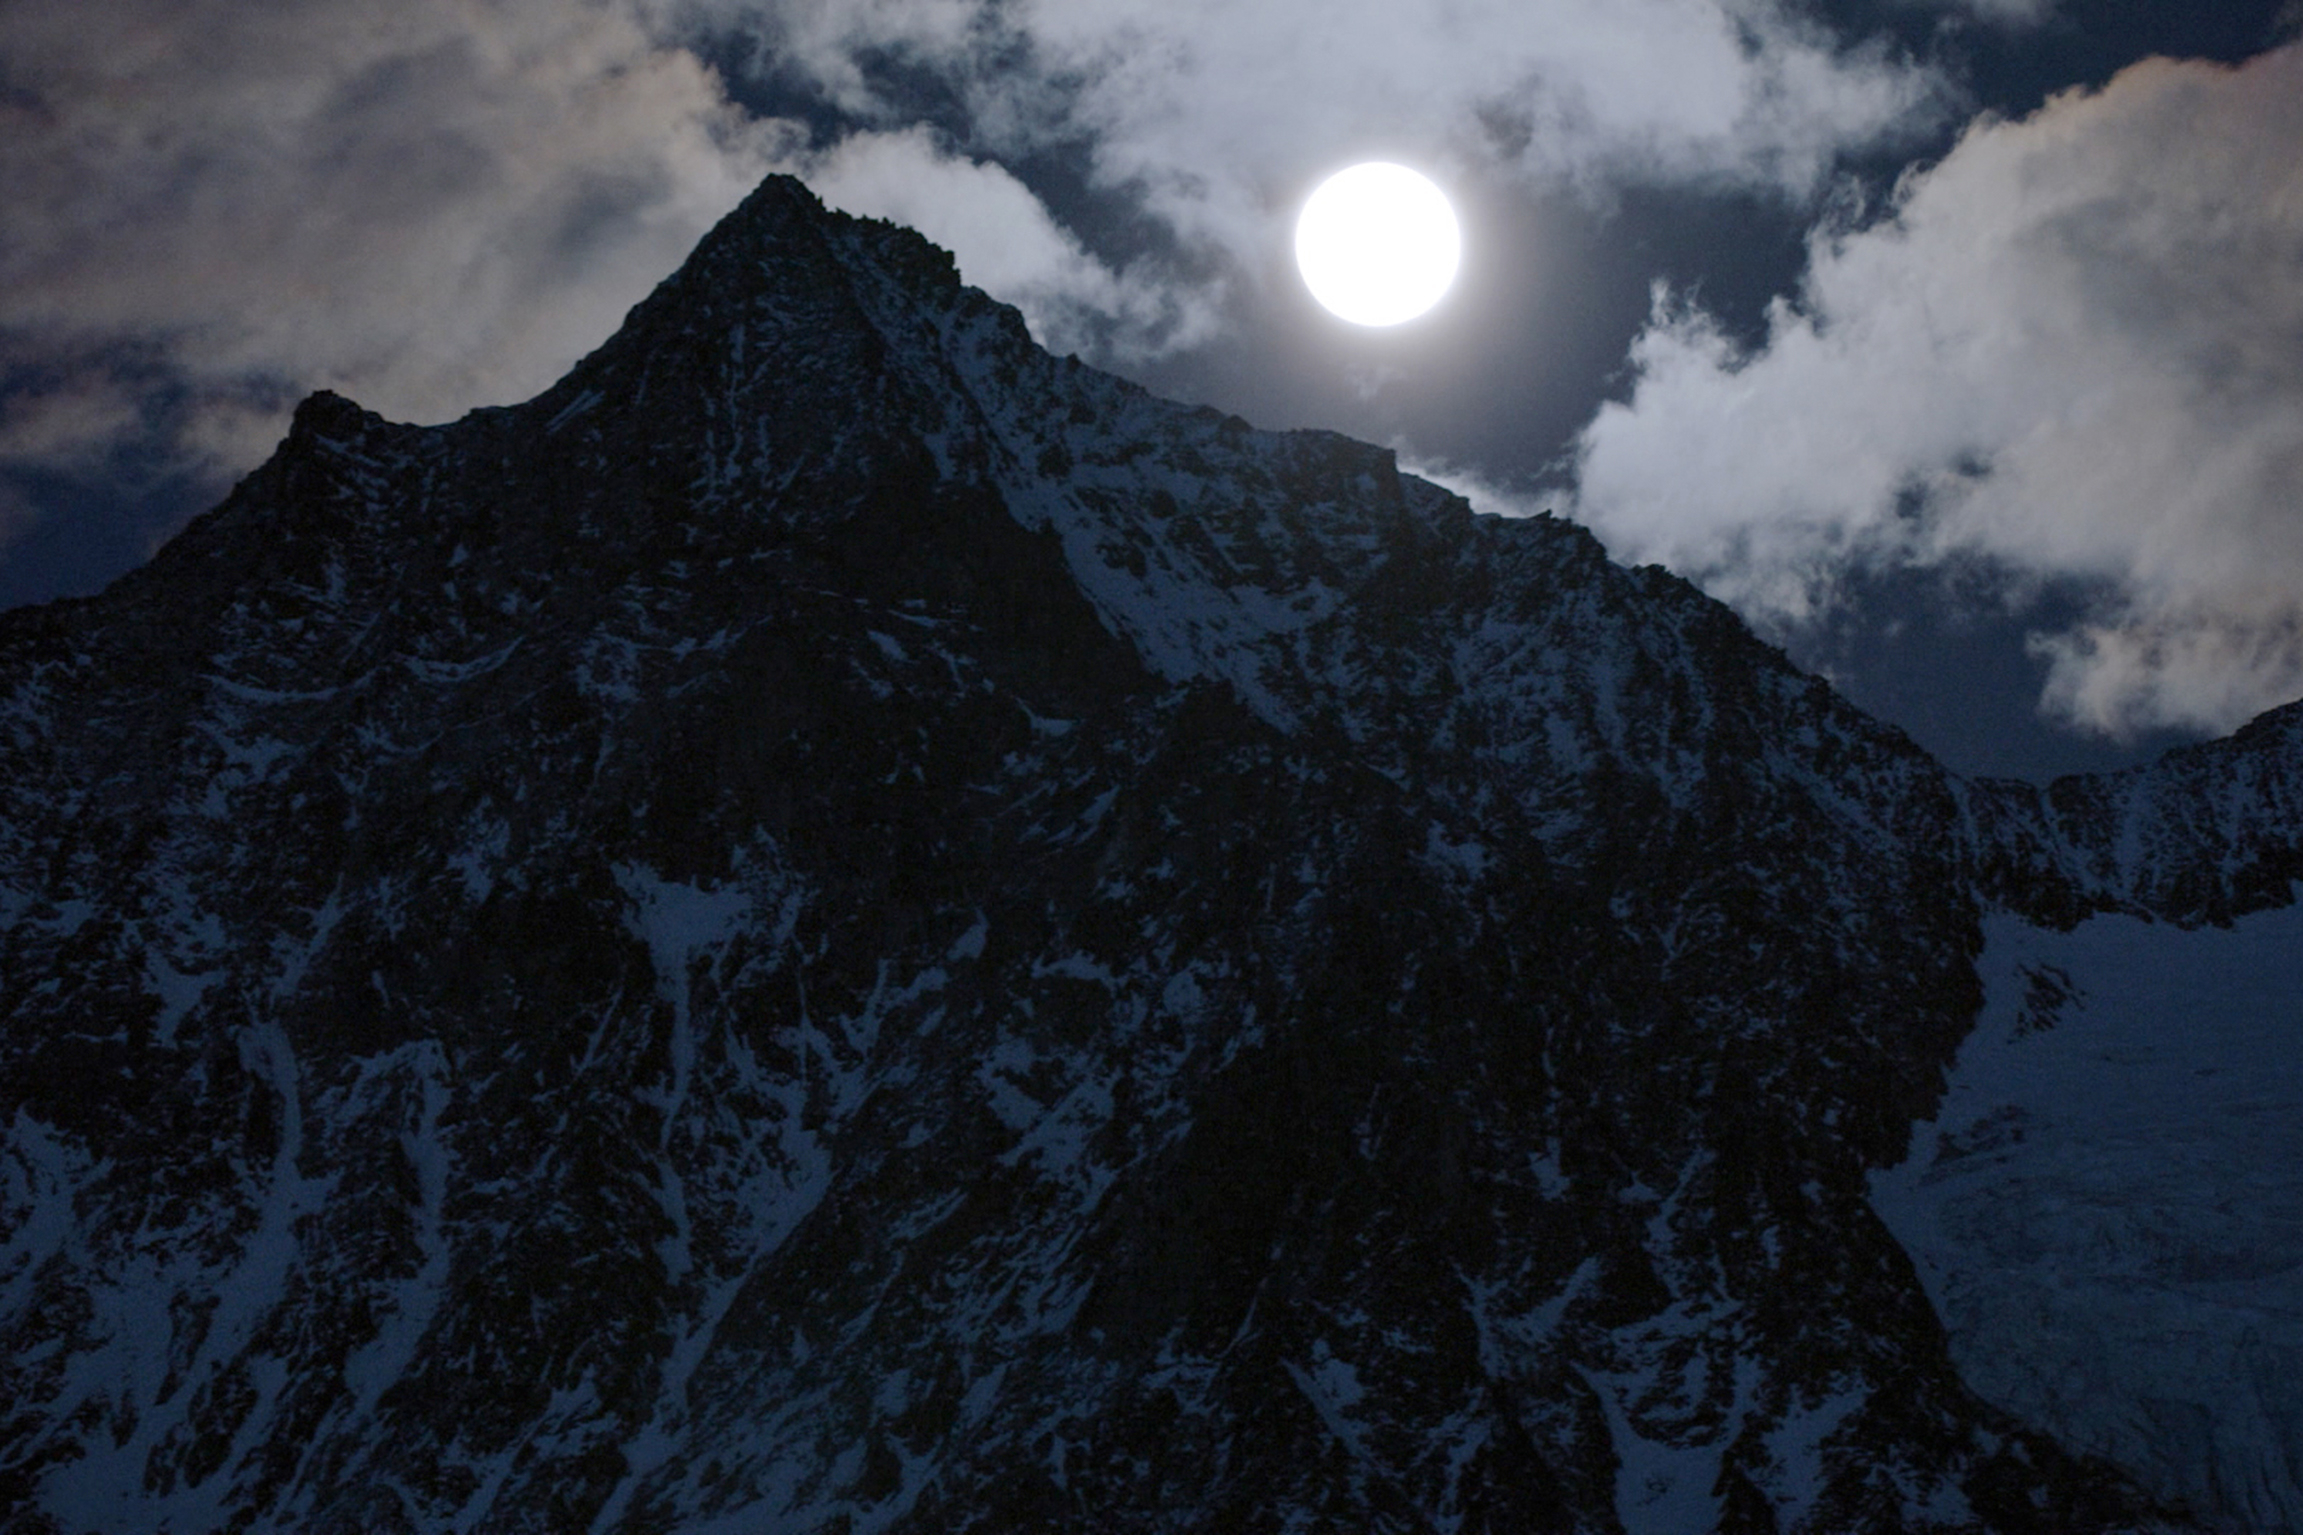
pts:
[1378, 245]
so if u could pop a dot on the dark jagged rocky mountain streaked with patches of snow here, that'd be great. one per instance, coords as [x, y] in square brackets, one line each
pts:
[846, 926]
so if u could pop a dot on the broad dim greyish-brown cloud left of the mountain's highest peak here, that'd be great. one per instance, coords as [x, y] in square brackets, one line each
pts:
[430, 206]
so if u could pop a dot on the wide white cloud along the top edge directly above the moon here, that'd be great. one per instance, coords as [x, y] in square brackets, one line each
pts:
[1222, 114]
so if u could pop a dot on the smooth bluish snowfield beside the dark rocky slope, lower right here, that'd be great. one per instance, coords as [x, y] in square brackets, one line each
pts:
[2108, 1209]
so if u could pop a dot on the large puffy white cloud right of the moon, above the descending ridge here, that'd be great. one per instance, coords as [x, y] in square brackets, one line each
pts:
[2076, 349]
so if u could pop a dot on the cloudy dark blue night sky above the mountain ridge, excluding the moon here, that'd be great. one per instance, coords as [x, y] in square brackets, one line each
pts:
[1959, 344]
